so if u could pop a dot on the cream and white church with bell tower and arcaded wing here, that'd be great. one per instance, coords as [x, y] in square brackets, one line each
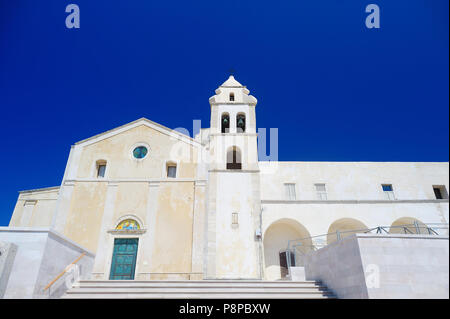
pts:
[148, 203]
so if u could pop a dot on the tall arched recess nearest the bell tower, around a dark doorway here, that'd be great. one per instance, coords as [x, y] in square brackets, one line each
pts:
[275, 241]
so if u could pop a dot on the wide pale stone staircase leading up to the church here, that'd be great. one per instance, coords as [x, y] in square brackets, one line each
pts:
[203, 289]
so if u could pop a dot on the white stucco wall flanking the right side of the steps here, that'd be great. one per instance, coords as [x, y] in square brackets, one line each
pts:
[383, 266]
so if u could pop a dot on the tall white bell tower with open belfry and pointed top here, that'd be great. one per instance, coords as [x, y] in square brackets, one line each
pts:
[233, 248]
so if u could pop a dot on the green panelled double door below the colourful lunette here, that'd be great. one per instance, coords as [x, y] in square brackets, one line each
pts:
[124, 258]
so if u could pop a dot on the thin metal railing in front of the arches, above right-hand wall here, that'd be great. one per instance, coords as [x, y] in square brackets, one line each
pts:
[297, 248]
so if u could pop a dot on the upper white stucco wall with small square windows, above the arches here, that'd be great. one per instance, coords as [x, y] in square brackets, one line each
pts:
[354, 180]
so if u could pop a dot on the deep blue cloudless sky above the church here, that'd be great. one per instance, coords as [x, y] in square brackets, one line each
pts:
[336, 90]
